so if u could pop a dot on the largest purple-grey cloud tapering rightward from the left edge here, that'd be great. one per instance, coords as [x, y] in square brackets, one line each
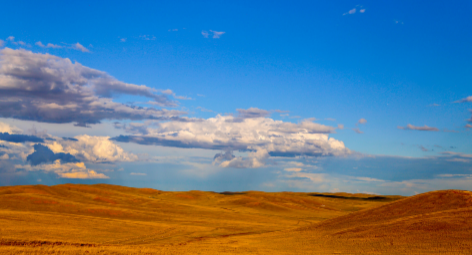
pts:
[47, 88]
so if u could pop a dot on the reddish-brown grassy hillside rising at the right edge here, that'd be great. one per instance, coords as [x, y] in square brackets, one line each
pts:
[430, 223]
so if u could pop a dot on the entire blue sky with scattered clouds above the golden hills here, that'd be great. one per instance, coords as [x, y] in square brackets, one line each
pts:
[334, 96]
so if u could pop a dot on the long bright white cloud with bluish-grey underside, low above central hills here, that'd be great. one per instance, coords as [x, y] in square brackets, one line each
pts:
[260, 136]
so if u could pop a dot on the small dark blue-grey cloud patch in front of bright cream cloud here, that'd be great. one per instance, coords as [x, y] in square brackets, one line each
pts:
[43, 154]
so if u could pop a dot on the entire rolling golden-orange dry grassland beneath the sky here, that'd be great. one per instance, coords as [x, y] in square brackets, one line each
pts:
[108, 219]
